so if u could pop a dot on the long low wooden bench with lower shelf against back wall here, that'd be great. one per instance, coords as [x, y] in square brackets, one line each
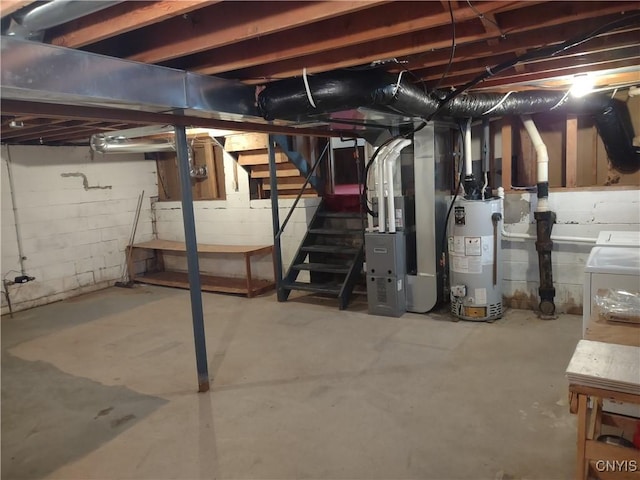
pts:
[157, 275]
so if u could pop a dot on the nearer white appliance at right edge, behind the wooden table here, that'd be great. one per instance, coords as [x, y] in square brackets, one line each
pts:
[609, 268]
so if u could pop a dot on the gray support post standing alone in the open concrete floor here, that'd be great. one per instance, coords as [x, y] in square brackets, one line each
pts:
[192, 258]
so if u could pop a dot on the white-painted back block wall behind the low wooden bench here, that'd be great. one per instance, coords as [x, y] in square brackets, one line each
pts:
[237, 220]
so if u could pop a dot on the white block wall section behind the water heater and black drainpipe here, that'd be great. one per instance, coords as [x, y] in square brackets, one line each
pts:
[579, 214]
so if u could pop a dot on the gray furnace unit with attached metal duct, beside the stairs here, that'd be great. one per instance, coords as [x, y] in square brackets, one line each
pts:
[404, 271]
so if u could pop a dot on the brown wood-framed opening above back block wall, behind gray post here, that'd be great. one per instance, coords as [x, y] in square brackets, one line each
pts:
[207, 180]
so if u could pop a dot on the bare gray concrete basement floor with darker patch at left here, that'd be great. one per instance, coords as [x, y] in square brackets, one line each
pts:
[103, 387]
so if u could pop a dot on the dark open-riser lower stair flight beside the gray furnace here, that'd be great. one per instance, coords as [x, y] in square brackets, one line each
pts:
[332, 251]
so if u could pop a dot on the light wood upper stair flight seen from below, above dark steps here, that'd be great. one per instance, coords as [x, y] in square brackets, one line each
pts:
[250, 151]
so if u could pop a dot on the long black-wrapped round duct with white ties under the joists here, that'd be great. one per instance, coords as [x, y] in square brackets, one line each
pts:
[349, 89]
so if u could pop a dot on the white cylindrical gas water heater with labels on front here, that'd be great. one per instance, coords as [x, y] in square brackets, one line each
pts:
[475, 259]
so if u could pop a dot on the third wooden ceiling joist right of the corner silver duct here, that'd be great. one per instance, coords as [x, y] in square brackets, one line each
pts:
[372, 24]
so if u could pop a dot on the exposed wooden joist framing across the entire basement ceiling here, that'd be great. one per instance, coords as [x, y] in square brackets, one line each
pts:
[261, 41]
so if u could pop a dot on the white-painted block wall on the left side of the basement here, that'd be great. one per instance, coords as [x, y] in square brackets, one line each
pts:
[75, 213]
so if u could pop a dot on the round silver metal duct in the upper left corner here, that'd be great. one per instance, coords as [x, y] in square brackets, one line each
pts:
[32, 23]
